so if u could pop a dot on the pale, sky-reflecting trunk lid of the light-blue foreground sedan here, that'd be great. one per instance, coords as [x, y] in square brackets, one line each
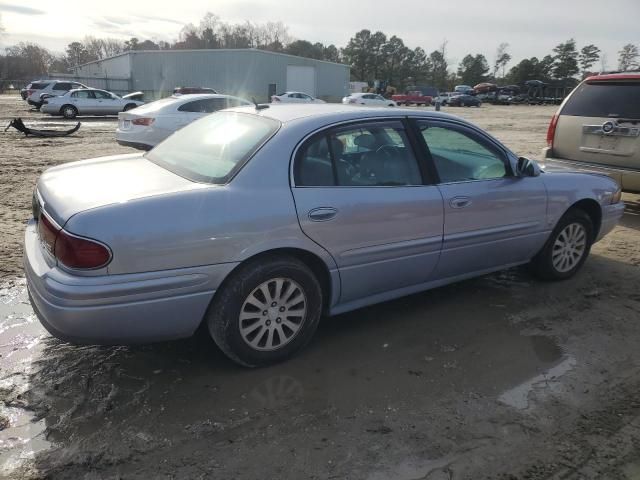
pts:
[74, 187]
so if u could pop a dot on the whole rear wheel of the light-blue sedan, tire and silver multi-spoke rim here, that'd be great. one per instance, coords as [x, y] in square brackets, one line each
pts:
[266, 311]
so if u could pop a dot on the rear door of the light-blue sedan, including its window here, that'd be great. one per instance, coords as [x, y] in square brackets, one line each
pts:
[361, 194]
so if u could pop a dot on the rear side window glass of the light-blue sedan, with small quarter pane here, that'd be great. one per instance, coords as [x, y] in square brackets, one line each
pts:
[373, 154]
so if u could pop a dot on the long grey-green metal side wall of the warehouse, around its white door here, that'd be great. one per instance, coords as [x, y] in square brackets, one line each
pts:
[245, 73]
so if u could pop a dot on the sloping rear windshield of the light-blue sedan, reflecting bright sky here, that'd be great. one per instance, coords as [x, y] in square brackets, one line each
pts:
[214, 148]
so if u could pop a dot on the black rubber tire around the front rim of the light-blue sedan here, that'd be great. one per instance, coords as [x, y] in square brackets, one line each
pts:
[542, 265]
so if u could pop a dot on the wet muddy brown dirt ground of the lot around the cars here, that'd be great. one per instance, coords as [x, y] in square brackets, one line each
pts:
[501, 377]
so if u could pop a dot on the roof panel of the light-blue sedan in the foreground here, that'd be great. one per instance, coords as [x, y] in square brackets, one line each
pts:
[336, 112]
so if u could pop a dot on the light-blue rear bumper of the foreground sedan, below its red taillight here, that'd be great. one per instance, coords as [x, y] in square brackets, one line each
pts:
[118, 309]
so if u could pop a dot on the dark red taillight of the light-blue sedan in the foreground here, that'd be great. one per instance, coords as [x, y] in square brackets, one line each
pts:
[70, 250]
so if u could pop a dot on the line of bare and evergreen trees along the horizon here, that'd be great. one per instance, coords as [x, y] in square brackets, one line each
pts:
[372, 56]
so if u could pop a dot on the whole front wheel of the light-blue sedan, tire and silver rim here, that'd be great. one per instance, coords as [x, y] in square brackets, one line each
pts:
[566, 249]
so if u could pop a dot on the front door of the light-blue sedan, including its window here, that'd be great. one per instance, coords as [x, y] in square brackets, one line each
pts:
[492, 218]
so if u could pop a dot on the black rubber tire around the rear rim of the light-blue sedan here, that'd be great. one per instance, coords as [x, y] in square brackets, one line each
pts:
[223, 315]
